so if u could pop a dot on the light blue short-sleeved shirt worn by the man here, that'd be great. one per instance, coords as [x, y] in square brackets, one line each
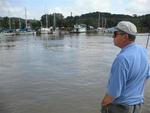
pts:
[129, 71]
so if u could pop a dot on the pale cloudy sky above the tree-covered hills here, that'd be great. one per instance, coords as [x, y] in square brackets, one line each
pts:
[36, 8]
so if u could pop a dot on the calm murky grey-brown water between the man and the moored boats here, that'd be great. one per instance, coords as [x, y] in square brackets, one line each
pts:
[56, 74]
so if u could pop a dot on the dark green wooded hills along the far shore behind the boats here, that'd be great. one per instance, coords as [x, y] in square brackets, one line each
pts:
[95, 19]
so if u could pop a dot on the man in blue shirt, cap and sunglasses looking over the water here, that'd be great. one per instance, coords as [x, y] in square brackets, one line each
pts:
[130, 70]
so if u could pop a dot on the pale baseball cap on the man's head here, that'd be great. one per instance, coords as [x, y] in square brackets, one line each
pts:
[126, 27]
